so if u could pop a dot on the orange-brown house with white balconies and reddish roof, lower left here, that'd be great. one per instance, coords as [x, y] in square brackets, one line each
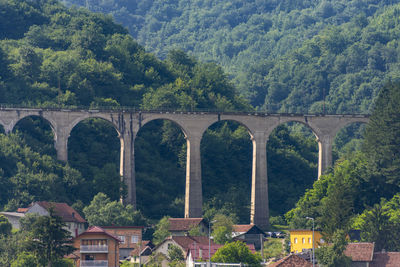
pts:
[96, 248]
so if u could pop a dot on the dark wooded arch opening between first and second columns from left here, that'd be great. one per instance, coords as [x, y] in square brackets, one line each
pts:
[94, 149]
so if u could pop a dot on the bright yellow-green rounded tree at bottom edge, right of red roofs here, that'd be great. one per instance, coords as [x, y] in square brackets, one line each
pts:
[236, 252]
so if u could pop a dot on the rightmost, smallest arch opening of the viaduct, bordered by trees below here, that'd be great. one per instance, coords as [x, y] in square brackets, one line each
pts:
[348, 140]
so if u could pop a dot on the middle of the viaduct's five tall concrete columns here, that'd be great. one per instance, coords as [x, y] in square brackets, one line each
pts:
[193, 192]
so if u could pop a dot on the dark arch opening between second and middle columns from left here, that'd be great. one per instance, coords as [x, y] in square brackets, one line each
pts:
[160, 168]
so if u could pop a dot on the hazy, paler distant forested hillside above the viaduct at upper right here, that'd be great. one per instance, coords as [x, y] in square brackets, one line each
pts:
[282, 55]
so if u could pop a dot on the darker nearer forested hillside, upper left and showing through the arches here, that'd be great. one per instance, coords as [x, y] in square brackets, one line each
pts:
[52, 56]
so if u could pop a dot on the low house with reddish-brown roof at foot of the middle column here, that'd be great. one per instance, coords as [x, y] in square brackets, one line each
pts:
[181, 226]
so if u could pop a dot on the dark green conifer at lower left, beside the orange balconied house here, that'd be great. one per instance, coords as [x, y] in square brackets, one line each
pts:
[48, 240]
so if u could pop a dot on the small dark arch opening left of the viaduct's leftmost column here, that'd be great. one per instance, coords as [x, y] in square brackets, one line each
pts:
[38, 132]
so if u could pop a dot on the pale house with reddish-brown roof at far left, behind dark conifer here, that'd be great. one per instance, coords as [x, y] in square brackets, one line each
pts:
[75, 224]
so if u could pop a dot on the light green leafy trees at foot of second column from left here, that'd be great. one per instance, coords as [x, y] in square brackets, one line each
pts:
[104, 212]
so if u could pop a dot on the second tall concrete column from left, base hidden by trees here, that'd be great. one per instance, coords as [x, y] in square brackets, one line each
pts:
[127, 167]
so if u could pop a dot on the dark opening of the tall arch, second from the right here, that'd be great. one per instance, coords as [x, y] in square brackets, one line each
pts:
[292, 164]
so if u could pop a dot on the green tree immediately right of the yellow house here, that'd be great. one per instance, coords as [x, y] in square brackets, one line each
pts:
[332, 255]
